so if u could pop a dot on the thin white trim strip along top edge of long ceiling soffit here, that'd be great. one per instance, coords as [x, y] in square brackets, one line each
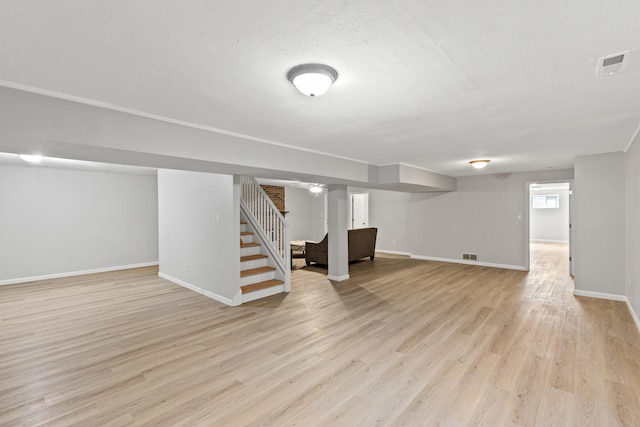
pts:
[105, 105]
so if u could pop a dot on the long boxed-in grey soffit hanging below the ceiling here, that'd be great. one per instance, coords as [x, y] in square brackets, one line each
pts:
[121, 138]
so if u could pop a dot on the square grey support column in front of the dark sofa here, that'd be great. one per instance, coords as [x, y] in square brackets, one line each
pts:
[338, 246]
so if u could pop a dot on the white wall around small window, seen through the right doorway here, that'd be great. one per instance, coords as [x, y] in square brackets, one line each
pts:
[550, 225]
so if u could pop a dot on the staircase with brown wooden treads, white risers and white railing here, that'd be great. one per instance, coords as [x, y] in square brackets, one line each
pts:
[264, 246]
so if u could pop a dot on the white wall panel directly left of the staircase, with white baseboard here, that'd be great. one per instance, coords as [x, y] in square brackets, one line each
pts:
[199, 228]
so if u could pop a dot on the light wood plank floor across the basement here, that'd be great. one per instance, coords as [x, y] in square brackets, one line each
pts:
[403, 342]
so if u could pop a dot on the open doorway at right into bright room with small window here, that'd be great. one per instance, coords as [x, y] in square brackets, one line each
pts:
[549, 216]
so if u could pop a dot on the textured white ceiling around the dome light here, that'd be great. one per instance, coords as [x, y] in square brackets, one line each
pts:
[428, 83]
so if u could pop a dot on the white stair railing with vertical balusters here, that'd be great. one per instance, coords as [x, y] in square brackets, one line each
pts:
[271, 224]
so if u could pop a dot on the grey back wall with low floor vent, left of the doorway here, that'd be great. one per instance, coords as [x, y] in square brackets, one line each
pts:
[486, 216]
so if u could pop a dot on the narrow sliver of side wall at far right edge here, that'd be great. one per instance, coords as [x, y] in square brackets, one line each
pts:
[633, 227]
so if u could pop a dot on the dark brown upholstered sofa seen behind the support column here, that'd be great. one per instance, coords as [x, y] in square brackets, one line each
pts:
[361, 242]
